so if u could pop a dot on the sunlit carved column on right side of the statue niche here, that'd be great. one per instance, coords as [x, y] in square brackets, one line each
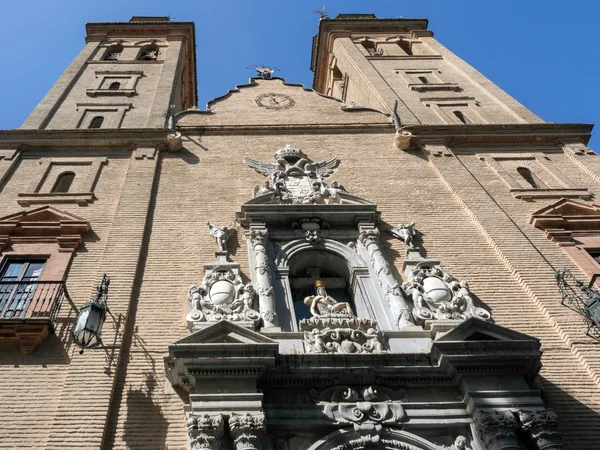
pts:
[369, 237]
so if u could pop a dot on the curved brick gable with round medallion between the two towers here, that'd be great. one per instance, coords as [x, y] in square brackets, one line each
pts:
[274, 102]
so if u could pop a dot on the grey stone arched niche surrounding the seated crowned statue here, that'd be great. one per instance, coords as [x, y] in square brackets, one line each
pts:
[344, 271]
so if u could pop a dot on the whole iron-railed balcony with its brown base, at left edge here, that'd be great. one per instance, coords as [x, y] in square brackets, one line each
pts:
[28, 311]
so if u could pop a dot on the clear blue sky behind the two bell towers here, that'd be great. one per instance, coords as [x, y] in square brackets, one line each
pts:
[545, 53]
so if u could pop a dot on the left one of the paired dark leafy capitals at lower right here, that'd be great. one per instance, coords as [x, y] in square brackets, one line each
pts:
[496, 430]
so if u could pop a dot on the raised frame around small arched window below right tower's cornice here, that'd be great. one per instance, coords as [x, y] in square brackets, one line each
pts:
[560, 187]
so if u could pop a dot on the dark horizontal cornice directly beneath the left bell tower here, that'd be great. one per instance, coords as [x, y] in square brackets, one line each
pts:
[128, 138]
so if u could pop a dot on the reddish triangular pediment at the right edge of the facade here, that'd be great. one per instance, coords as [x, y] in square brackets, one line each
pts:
[566, 217]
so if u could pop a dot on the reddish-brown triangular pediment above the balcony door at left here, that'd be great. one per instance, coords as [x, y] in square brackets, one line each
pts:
[44, 224]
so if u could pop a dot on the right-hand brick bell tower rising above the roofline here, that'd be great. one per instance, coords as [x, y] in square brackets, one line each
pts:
[396, 64]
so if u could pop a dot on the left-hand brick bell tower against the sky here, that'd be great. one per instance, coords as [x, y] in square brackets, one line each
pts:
[129, 75]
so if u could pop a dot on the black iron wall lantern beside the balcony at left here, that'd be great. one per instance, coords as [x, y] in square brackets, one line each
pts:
[88, 325]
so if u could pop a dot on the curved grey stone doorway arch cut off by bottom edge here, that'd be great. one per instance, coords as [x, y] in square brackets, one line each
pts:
[348, 439]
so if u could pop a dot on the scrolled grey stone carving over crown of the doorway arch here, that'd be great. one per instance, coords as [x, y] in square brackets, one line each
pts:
[366, 409]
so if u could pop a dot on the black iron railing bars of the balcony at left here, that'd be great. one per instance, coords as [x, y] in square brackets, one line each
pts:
[31, 299]
